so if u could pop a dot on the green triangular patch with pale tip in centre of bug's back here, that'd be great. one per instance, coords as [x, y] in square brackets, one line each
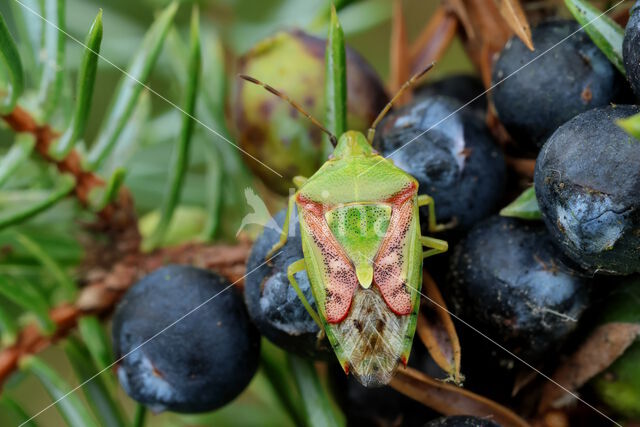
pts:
[360, 229]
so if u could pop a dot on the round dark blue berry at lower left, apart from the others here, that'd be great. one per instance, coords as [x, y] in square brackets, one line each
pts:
[201, 361]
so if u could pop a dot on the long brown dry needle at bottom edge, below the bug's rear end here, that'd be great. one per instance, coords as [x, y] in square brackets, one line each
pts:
[451, 400]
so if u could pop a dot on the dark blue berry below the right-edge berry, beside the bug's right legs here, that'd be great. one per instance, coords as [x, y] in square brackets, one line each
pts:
[531, 297]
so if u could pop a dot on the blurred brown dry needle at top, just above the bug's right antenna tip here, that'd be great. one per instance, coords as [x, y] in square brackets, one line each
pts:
[434, 40]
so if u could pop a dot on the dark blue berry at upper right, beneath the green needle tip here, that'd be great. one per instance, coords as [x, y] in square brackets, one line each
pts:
[572, 77]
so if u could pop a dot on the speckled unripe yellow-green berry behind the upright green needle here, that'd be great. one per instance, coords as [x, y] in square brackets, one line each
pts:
[274, 132]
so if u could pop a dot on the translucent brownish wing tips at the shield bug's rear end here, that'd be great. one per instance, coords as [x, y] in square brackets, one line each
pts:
[372, 340]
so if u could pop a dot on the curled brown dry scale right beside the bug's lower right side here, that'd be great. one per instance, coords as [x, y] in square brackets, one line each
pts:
[437, 331]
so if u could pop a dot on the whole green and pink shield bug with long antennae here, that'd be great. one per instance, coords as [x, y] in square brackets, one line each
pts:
[363, 250]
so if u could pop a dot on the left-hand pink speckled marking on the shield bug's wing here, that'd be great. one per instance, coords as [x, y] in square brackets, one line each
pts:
[342, 281]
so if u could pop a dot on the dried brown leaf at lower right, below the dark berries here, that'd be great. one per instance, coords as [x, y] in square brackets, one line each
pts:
[597, 353]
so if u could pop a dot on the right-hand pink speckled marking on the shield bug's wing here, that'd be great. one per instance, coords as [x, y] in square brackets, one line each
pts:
[389, 263]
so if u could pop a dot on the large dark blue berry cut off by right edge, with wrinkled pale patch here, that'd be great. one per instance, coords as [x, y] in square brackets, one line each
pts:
[587, 183]
